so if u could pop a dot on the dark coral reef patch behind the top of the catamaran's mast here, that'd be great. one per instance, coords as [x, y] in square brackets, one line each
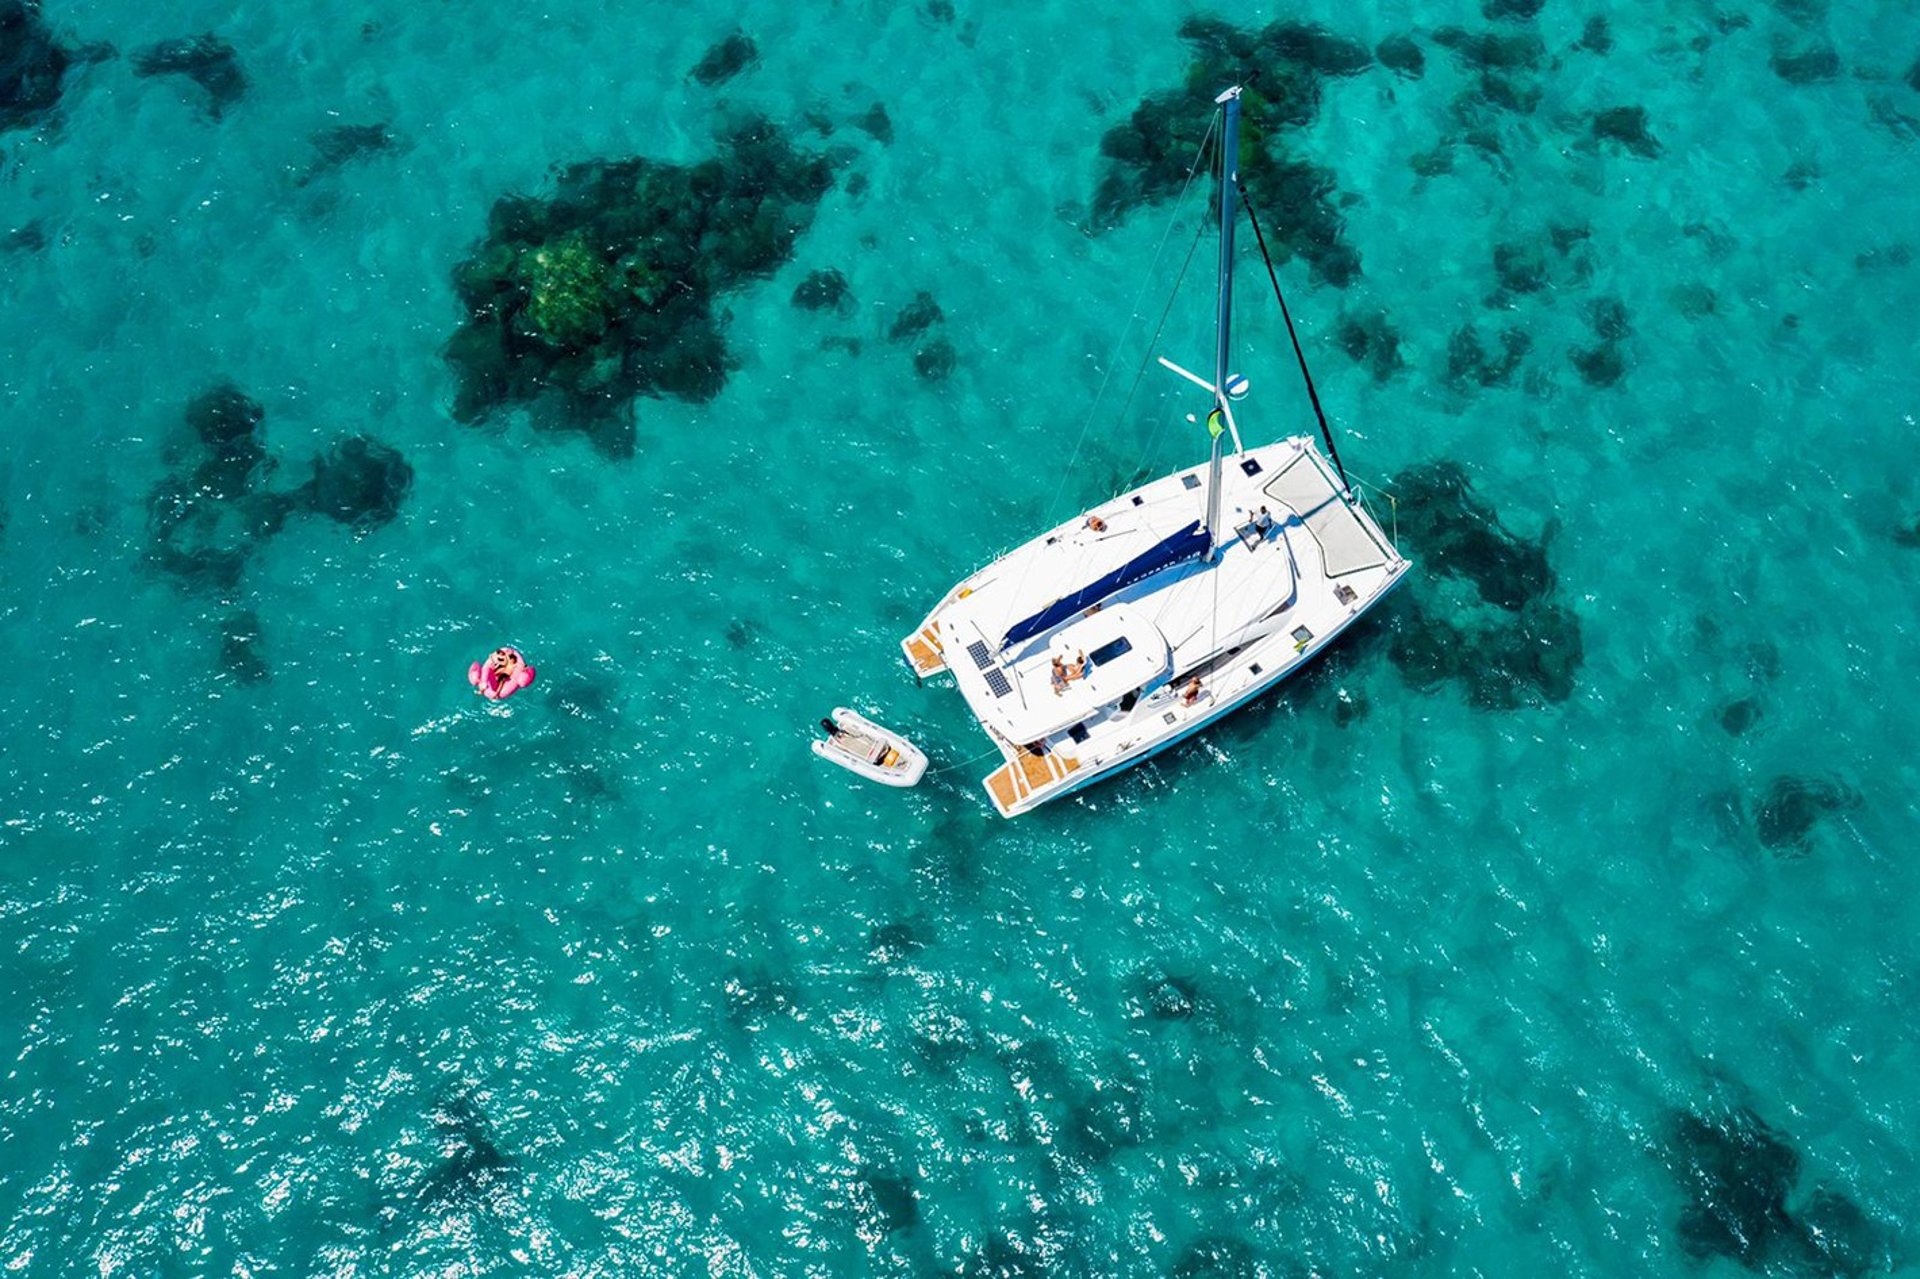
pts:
[1147, 158]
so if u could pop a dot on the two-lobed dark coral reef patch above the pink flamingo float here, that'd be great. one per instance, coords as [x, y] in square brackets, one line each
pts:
[220, 502]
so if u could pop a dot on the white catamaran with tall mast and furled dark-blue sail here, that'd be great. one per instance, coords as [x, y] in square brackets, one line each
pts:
[1145, 619]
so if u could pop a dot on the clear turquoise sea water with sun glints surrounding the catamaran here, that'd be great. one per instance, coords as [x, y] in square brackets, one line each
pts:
[314, 965]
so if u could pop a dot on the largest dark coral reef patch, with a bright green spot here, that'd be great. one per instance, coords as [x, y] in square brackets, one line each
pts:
[606, 291]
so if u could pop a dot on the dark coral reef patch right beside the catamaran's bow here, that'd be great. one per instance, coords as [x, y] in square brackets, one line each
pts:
[1483, 610]
